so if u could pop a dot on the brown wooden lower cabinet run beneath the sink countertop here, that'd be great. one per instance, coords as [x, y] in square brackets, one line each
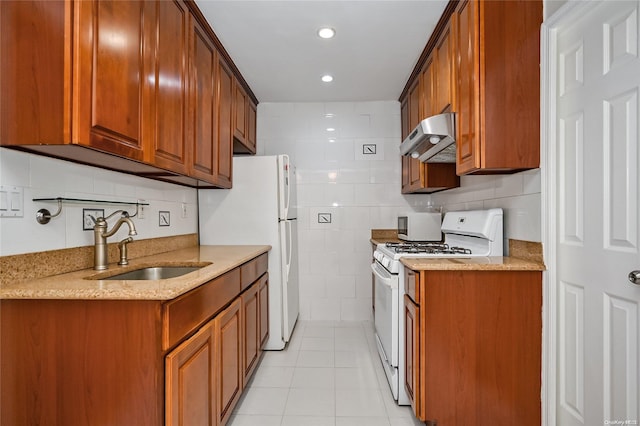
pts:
[133, 362]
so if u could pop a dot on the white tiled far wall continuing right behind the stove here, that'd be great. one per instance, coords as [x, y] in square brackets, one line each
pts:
[363, 192]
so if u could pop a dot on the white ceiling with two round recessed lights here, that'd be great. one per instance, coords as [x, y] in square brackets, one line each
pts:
[275, 46]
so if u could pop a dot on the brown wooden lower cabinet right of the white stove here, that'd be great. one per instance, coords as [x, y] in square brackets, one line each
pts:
[473, 347]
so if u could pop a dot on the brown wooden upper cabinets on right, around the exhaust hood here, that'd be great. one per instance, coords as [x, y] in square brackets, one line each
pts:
[482, 62]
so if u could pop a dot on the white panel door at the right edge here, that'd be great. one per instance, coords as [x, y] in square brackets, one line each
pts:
[597, 71]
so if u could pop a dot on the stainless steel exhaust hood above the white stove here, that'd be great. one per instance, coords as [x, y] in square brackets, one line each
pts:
[433, 140]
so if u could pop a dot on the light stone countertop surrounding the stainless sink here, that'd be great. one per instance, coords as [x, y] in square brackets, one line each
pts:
[75, 285]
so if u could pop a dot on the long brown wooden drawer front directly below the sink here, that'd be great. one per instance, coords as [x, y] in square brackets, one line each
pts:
[186, 313]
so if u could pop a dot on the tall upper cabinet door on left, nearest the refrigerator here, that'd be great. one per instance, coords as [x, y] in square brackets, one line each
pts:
[224, 117]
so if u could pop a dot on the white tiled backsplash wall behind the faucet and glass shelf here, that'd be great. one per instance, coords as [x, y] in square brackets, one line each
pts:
[43, 177]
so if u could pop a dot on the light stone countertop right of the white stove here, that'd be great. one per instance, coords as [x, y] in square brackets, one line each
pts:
[493, 263]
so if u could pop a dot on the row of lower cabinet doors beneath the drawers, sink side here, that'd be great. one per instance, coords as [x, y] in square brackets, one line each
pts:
[207, 373]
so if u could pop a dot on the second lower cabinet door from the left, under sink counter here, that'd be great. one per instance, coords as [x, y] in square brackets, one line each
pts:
[228, 330]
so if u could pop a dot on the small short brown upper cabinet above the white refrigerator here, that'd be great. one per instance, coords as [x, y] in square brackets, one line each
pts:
[244, 120]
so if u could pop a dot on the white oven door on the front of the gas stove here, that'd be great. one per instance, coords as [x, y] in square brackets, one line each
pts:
[386, 312]
